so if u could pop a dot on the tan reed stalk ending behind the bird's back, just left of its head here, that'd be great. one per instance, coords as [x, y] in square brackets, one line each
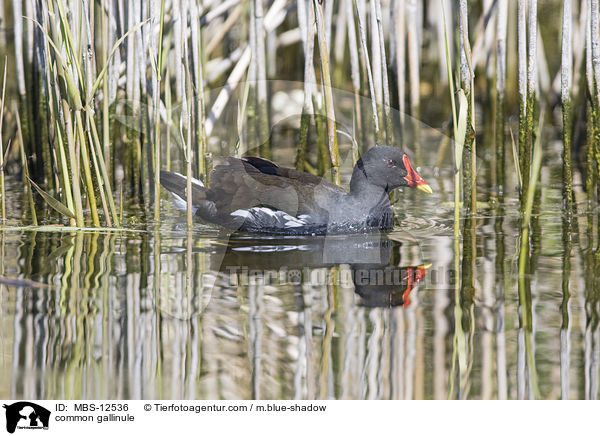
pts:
[328, 91]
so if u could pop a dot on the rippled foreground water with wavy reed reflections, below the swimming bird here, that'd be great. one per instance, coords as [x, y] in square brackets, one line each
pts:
[105, 315]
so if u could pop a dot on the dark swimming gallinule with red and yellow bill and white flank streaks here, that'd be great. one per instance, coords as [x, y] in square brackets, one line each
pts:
[256, 195]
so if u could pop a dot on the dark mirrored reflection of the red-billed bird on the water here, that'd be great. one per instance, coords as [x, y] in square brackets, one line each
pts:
[373, 261]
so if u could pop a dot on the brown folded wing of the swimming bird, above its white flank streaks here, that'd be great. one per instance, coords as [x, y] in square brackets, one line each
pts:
[243, 184]
